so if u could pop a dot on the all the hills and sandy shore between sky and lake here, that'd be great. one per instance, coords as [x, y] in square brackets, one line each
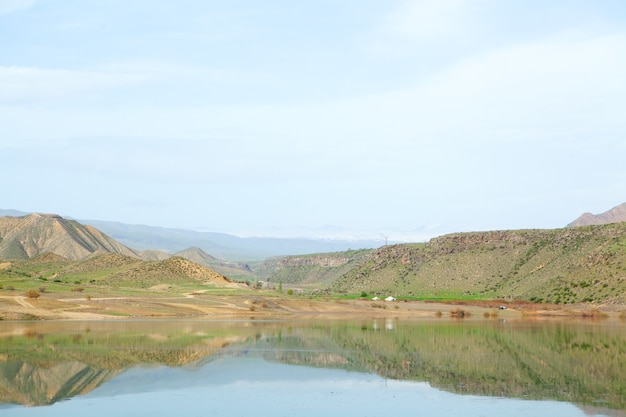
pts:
[55, 268]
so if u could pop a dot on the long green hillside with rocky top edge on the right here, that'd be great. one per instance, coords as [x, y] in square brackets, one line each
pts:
[583, 264]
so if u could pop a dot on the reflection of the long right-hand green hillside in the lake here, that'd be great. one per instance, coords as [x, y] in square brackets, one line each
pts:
[579, 364]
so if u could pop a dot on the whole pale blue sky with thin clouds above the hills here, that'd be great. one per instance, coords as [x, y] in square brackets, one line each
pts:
[406, 119]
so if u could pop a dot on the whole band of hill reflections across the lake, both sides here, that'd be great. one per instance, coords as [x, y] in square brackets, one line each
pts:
[582, 364]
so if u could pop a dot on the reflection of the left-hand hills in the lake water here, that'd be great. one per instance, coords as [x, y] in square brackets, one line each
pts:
[41, 365]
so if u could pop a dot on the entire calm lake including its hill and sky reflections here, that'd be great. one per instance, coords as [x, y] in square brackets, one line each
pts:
[361, 368]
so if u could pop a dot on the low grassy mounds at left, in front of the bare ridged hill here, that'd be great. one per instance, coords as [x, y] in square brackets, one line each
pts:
[109, 275]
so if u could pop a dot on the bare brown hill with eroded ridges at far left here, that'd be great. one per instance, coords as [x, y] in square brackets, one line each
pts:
[28, 236]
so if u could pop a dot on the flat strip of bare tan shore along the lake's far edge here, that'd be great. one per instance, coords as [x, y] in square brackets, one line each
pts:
[264, 306]
